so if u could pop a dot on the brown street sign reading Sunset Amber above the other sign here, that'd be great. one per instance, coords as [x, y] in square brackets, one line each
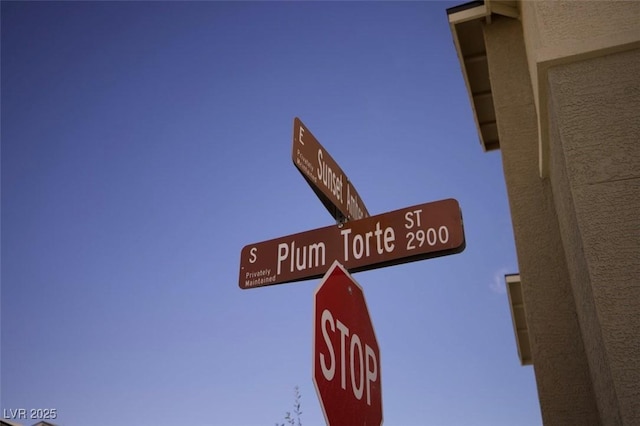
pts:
[324, 176]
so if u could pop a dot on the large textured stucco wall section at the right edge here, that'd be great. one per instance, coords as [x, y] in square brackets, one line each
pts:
[595, 148]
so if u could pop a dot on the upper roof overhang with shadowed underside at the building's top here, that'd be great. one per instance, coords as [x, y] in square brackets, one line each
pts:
[466, 23]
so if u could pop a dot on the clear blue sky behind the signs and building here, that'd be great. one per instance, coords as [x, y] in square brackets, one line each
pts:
[145, 143]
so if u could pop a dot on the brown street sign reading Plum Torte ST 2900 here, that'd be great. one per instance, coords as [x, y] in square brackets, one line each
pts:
[406, 235]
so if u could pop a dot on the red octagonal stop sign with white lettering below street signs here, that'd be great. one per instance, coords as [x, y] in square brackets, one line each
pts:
[346, 357]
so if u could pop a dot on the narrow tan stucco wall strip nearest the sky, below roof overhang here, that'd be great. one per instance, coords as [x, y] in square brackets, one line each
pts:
[562, 373]
